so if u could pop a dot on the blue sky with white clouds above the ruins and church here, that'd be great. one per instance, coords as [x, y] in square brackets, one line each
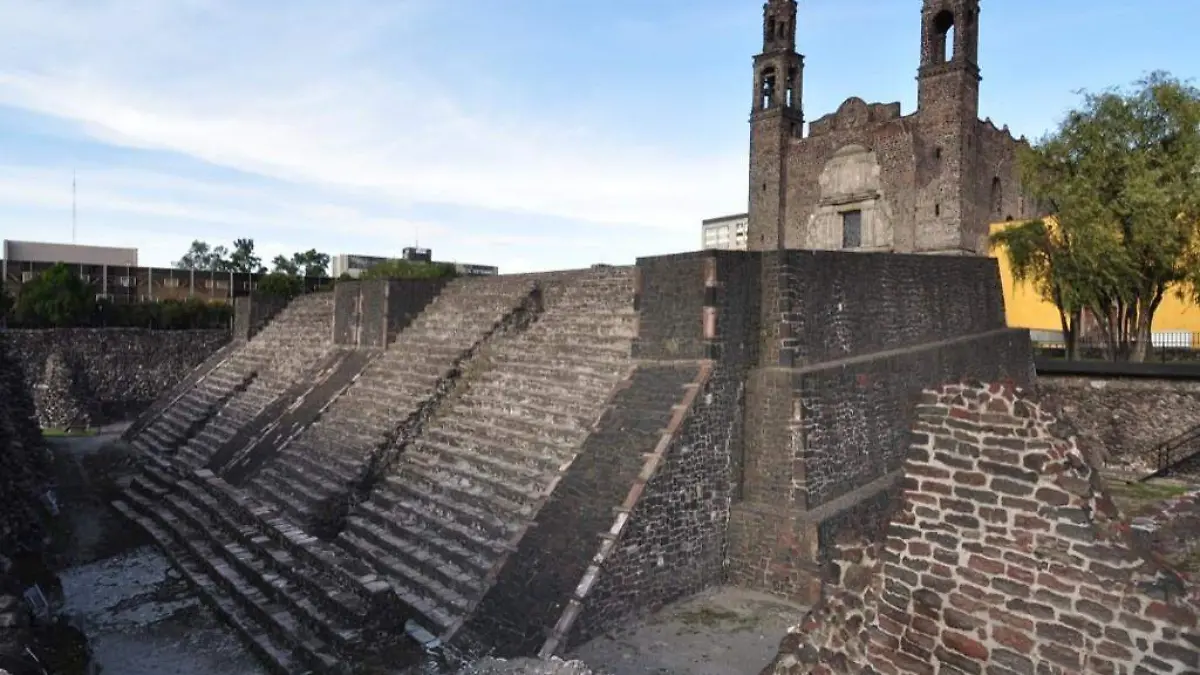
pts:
[527, 134]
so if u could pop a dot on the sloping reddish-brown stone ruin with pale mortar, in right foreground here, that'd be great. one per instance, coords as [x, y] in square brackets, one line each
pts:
[1004, 557]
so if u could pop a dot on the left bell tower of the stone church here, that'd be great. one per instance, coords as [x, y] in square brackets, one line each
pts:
[776, 117]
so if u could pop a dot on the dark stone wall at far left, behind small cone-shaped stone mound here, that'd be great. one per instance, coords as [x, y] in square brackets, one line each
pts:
[123, 372]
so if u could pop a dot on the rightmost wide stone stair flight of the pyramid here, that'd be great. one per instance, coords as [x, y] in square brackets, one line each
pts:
[442, 524]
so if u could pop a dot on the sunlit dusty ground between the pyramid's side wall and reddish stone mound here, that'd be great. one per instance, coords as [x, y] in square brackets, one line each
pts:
[719, 632]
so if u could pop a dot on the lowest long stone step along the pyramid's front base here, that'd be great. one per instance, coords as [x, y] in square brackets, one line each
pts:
[279, 656]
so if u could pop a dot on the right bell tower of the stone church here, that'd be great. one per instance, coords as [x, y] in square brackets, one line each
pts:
[949, 110]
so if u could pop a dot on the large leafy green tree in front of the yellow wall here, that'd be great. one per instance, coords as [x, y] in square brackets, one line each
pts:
[1121, 177]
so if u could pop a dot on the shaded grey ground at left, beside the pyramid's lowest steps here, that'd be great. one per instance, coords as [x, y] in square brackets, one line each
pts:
[140, 616]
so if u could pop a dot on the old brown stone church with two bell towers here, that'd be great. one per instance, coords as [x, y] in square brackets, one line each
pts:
[867, 177]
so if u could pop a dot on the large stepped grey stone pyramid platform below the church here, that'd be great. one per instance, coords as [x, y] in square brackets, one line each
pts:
[515, 464]
